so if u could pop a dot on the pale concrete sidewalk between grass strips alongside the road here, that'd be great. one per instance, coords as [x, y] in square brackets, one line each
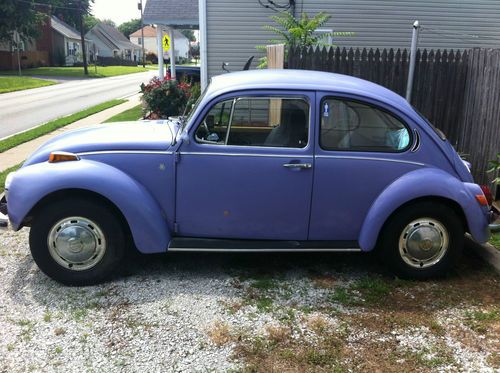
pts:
[16, 155]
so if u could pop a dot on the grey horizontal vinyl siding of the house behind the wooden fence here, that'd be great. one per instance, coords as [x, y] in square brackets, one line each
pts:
[234, 27]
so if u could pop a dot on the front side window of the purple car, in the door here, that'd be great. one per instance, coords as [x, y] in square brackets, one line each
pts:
[257, 121]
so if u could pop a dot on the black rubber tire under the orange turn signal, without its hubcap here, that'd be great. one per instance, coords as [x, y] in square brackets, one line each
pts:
[101, 216]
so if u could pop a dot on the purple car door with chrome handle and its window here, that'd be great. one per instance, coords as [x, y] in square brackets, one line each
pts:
[246, 171]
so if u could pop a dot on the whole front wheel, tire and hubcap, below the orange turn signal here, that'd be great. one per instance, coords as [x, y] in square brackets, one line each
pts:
[77, 242]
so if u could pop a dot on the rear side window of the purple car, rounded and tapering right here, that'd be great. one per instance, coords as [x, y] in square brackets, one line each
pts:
[353, 126]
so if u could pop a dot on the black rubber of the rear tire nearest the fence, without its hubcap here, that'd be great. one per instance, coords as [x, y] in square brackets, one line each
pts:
[389, 243]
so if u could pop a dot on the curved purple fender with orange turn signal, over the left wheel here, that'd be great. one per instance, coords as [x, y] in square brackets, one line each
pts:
[147, 223]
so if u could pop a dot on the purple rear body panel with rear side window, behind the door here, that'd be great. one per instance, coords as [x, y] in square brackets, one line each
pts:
[363, 147]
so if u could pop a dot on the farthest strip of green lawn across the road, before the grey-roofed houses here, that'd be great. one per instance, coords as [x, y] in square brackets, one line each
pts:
[102, 71]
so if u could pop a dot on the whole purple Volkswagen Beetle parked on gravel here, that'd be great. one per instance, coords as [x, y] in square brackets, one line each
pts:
[275, 160]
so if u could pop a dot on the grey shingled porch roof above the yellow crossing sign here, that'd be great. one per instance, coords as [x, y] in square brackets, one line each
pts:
[180, 14]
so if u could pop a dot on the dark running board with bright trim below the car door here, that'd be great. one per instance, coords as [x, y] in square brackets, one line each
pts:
[247, 246]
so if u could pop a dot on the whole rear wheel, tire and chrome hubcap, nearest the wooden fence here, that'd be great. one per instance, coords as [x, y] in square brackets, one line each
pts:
[422, 240]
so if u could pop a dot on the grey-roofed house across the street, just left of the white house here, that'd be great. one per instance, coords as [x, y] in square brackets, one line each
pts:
[109, 42]
